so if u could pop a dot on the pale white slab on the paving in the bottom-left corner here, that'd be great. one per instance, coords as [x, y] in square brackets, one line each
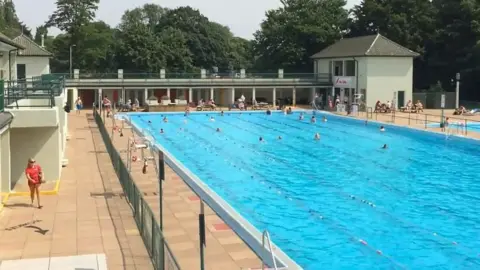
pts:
[83, 262]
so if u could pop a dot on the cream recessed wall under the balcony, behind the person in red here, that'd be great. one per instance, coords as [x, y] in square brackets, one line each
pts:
[43, 144]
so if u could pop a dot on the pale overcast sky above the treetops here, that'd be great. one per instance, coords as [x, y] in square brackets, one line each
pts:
[242, 16]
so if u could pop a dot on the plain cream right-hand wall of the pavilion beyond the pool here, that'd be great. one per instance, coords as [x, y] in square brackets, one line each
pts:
[387, 75]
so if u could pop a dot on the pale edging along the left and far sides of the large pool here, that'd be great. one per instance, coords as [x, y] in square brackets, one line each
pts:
[247, 232]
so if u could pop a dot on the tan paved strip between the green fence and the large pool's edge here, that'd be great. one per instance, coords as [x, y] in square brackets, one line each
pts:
[224, 249]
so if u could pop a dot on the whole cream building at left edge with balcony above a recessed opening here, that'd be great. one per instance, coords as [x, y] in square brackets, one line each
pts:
[26, 109]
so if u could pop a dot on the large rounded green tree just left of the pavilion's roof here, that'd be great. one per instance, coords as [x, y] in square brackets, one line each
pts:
[300, 28]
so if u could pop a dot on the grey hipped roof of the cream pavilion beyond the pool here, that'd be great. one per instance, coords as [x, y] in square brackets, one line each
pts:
[373, 45]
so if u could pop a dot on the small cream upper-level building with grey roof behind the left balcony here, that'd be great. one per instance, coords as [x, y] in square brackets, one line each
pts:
[32, 61]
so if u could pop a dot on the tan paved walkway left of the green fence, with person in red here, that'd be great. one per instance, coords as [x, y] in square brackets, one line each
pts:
[82, 219]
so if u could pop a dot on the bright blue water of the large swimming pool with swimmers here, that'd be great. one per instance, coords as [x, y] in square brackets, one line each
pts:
[341, 202]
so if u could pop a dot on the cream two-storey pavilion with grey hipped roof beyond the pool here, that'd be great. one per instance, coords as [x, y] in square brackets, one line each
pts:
[366, 69]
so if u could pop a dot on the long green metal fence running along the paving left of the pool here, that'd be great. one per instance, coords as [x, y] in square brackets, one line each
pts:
[161, 255]
